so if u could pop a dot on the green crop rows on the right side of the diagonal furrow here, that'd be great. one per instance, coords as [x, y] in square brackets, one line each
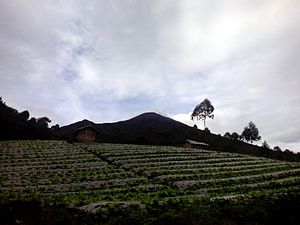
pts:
[191, 170]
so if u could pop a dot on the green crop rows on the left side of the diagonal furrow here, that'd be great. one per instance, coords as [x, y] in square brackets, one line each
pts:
[53, 172]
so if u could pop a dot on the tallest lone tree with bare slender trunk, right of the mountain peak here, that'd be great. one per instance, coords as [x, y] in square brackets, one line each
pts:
[203, 110]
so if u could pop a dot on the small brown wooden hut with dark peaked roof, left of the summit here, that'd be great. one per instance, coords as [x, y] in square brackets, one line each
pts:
[85, 134]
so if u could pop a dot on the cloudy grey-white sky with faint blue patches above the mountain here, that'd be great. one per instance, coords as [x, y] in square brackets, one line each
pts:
[109, 60]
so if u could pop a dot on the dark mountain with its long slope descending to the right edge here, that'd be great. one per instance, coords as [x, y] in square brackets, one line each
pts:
[154, 129]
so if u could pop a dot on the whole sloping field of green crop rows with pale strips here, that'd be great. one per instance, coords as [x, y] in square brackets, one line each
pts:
[93, 175]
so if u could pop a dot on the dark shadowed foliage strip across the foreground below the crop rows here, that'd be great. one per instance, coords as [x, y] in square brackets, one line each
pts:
[264, 209]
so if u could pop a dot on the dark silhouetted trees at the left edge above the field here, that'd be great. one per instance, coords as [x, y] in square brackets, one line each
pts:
[19, 125]
